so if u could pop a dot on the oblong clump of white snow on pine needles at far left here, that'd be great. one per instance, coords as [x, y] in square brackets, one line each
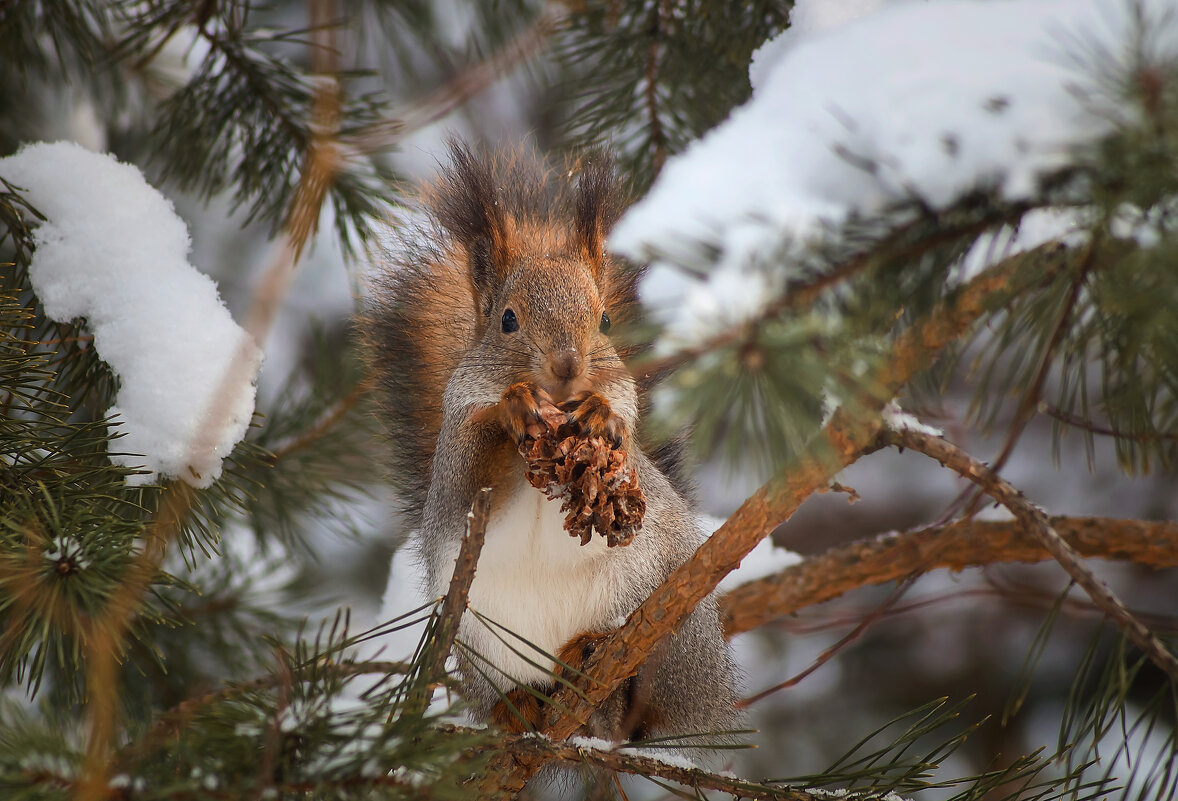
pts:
[115, 253]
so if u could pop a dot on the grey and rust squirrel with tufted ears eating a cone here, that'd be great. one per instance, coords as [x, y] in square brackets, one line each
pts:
[502, 302]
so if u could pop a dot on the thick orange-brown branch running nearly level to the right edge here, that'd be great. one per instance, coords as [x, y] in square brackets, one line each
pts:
[955, 547]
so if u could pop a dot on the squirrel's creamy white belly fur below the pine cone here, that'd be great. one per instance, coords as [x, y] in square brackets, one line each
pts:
[538, 582]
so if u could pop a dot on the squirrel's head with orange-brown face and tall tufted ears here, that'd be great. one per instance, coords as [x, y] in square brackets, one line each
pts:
[546, 292]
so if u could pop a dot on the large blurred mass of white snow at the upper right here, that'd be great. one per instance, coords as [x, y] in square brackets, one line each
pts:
[862, 107]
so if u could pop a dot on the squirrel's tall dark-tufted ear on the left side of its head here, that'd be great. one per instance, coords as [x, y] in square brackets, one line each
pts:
[467, 204]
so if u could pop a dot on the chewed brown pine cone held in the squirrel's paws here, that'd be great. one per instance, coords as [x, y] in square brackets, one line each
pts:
[598, 488]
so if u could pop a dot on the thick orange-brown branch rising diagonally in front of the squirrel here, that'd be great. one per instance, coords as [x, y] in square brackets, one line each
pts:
[849, 436]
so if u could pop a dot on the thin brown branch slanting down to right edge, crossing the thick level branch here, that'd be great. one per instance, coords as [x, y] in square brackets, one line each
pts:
[1040, 526]
